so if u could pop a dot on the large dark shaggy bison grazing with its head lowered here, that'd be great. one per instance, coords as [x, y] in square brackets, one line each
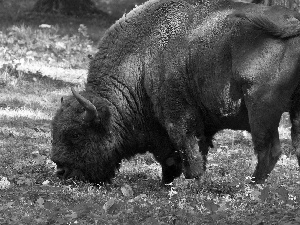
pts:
[172, 73]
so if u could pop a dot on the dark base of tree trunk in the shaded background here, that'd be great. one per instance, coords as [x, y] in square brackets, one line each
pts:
[67, 7]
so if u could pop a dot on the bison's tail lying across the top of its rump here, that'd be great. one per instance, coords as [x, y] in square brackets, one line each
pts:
[290, 29]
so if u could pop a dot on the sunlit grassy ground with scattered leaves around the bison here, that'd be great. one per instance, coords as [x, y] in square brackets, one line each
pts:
[37, 69]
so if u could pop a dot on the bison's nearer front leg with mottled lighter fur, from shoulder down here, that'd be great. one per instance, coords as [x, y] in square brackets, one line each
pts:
[177, 111]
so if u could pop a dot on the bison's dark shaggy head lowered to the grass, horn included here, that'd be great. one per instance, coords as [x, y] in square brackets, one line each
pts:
[83, 145]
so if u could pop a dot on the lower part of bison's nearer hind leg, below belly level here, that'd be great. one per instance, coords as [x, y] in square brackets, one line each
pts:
[264, 120]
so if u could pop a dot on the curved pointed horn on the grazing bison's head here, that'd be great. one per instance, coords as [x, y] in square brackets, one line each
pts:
[90, 110]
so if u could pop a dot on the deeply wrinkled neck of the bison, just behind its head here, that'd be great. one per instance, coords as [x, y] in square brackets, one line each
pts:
[129, 109]
